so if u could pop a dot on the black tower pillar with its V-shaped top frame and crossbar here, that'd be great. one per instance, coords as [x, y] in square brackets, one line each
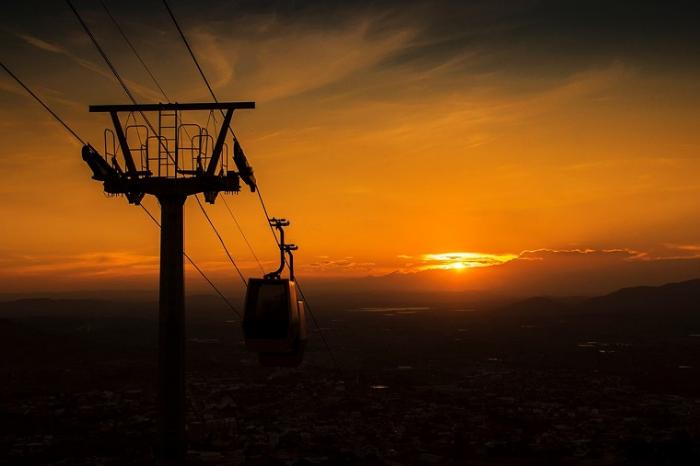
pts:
[172, 191]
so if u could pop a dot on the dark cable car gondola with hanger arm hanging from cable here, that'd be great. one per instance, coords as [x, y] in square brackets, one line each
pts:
[274, 320]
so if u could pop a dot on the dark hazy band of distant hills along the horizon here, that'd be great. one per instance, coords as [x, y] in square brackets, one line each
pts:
[68, 314]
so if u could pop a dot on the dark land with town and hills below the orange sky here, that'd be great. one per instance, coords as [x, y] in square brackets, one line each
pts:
[573, 382]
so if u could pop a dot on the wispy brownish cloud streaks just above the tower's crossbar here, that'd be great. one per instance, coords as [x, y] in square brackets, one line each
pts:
[277, 61]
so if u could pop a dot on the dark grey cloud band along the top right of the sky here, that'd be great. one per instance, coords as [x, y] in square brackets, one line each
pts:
[511, 34]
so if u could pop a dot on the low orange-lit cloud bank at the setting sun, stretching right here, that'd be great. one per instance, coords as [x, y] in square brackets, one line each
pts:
[562, 272]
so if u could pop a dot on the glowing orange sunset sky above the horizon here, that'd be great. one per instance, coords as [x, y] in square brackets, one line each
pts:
[468, 138]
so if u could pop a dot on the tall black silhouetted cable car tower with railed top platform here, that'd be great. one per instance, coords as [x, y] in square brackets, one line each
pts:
[171, 162]
